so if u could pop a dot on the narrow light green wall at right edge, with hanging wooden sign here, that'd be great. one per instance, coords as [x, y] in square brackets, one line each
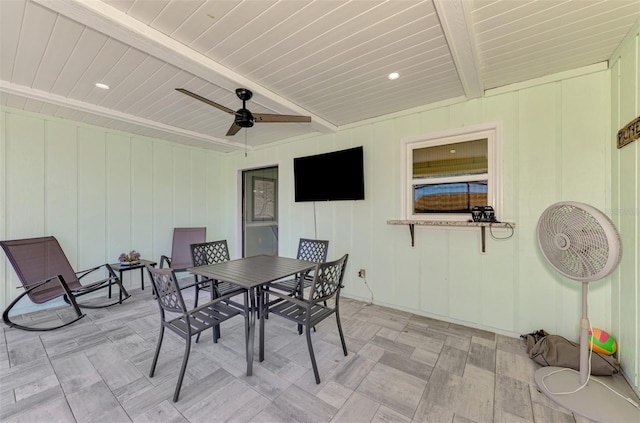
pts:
[625, 206]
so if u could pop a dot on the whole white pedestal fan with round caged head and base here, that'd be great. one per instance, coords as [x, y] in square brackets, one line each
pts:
[581, 243]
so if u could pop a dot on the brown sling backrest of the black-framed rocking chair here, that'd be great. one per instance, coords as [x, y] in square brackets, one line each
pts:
[38, 259]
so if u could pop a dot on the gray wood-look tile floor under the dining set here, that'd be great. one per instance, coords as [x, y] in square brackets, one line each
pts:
[400, 368]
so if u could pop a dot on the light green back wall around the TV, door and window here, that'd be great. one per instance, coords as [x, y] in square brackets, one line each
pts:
[557, 146]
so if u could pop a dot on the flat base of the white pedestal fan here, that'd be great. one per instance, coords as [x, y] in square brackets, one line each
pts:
[594, 401]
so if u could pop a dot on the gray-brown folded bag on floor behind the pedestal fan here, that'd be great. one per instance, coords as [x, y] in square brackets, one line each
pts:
[554, 350]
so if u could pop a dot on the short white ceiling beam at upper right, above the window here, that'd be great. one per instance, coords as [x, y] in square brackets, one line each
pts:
[455, 19]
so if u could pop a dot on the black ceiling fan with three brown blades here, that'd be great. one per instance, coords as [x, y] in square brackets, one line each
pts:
[243, 117]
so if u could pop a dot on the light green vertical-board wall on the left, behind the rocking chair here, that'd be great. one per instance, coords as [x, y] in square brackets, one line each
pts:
[98, 192]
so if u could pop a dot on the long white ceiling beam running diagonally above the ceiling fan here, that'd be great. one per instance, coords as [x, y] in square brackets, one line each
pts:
[122, 27]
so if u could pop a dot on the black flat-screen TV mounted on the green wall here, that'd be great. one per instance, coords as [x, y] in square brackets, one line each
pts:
[338, 175]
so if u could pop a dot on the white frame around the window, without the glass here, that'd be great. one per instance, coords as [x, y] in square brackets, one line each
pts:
[491, 131]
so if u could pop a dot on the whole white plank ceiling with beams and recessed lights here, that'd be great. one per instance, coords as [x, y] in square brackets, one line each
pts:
[327, 59]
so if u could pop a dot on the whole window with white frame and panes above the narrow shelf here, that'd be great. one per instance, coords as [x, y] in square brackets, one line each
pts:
[448, 173]
